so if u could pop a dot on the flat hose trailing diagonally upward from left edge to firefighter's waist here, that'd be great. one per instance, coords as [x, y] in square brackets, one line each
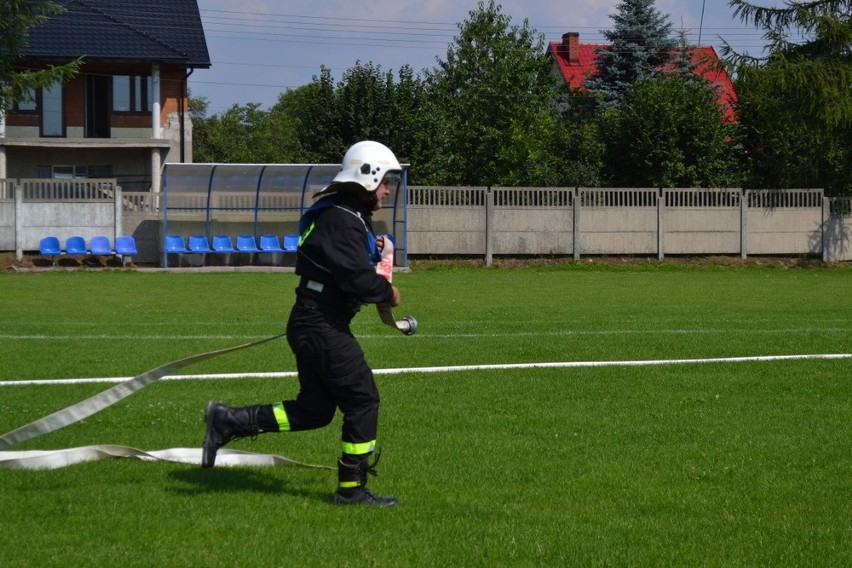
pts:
[92, 405]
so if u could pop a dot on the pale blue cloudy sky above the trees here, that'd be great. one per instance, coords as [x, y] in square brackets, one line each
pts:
[261, 48]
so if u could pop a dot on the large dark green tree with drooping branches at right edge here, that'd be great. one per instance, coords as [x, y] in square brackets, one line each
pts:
[795, 103]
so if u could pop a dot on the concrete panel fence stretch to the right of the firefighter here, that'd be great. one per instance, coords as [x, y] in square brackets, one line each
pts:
[642, 221]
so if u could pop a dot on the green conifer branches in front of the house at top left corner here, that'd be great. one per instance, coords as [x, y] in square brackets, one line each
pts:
[17, 17]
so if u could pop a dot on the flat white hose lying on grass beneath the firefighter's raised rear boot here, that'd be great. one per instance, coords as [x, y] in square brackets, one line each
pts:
[55, 459]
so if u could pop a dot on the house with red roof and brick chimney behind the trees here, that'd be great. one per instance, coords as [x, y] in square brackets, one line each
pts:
[575, 61]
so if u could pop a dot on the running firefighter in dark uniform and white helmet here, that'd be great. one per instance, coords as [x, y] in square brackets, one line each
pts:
[336, 261]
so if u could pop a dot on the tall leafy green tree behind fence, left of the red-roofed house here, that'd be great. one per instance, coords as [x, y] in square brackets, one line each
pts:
[491, 103]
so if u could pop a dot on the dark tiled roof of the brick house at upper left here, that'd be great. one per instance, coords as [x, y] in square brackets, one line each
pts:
[159, 31]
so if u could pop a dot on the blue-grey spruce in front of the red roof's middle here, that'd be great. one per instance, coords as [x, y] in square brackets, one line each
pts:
[640, 45]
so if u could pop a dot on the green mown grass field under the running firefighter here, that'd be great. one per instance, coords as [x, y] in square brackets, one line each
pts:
[701, 464]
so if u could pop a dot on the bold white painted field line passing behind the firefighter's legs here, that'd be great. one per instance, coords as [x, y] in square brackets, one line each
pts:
[452, 369]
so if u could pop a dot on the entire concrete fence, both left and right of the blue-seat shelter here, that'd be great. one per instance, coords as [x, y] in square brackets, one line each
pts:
[483, 222]
